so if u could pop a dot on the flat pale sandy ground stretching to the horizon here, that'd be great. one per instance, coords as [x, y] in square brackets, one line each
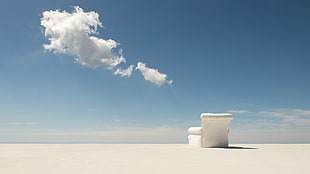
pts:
[153, 158]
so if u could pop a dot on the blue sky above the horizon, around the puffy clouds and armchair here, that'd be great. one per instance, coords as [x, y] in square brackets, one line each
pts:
[249, 58]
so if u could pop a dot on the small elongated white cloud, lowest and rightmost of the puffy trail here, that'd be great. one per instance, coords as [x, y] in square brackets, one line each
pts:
[152, 75]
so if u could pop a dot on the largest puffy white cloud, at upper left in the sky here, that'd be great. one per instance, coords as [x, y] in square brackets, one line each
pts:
[72, 33]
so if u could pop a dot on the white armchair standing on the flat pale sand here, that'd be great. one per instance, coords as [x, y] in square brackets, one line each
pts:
[213, 133]
